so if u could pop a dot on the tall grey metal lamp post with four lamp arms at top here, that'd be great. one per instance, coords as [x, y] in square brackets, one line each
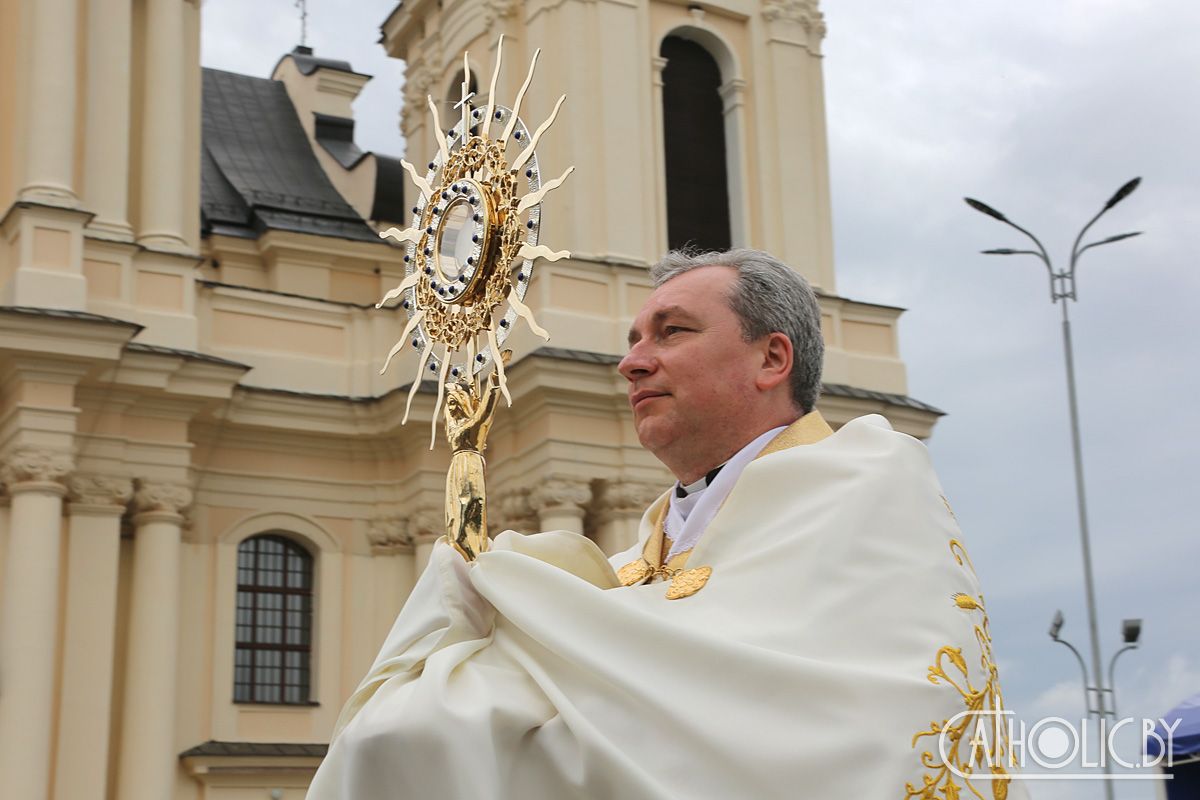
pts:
[1063, 287]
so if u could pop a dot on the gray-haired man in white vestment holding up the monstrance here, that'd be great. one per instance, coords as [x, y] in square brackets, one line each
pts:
[799, 618]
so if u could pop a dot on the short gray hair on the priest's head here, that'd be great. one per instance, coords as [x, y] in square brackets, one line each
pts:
[769, 297]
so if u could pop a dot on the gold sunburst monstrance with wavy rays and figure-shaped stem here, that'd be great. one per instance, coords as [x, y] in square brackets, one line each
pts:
[470, 261]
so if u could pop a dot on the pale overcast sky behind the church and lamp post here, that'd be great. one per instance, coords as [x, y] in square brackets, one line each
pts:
[1042, 110]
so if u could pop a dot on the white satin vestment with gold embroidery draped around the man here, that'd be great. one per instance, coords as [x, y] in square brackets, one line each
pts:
[839, 622]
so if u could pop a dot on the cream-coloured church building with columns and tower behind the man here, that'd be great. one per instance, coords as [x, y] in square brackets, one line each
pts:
[211, 514]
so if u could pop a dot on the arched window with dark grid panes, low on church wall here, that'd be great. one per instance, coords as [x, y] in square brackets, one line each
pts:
[274, 642]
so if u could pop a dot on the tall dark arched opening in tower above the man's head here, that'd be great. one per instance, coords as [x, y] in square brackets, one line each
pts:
[694, 140]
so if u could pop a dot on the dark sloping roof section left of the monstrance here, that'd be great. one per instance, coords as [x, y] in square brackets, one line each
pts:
[257, 169]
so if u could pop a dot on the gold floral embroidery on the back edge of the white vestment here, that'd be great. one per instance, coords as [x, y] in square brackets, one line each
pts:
[989, 749]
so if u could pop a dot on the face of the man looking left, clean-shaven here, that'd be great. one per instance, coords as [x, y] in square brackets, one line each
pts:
[692, 375]
